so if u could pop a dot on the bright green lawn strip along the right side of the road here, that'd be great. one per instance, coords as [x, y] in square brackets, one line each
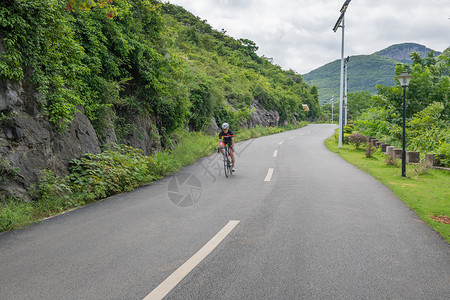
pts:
[426, 191]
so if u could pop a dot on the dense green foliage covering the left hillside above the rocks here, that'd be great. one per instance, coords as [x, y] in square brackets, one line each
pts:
[151, 59]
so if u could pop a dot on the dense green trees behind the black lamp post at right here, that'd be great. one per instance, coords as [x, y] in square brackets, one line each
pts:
[427, 107]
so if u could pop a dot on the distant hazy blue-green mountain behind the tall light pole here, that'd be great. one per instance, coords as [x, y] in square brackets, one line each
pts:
[365, 72]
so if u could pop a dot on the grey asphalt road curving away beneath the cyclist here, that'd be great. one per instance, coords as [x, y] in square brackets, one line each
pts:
[317, 228]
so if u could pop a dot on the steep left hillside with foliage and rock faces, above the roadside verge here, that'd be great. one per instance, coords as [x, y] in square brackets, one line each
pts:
[74, 80]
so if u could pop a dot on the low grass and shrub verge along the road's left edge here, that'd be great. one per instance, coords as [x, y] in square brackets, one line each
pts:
[118, 169]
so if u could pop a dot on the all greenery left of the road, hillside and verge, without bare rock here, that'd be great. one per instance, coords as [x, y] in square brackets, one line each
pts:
[124, 60]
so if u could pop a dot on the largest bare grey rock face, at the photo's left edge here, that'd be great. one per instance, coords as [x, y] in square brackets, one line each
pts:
[31, 144]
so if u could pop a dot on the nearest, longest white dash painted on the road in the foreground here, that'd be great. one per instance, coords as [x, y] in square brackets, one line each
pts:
[167, 285]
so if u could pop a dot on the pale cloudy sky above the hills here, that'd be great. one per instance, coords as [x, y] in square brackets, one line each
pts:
[298, 34]
